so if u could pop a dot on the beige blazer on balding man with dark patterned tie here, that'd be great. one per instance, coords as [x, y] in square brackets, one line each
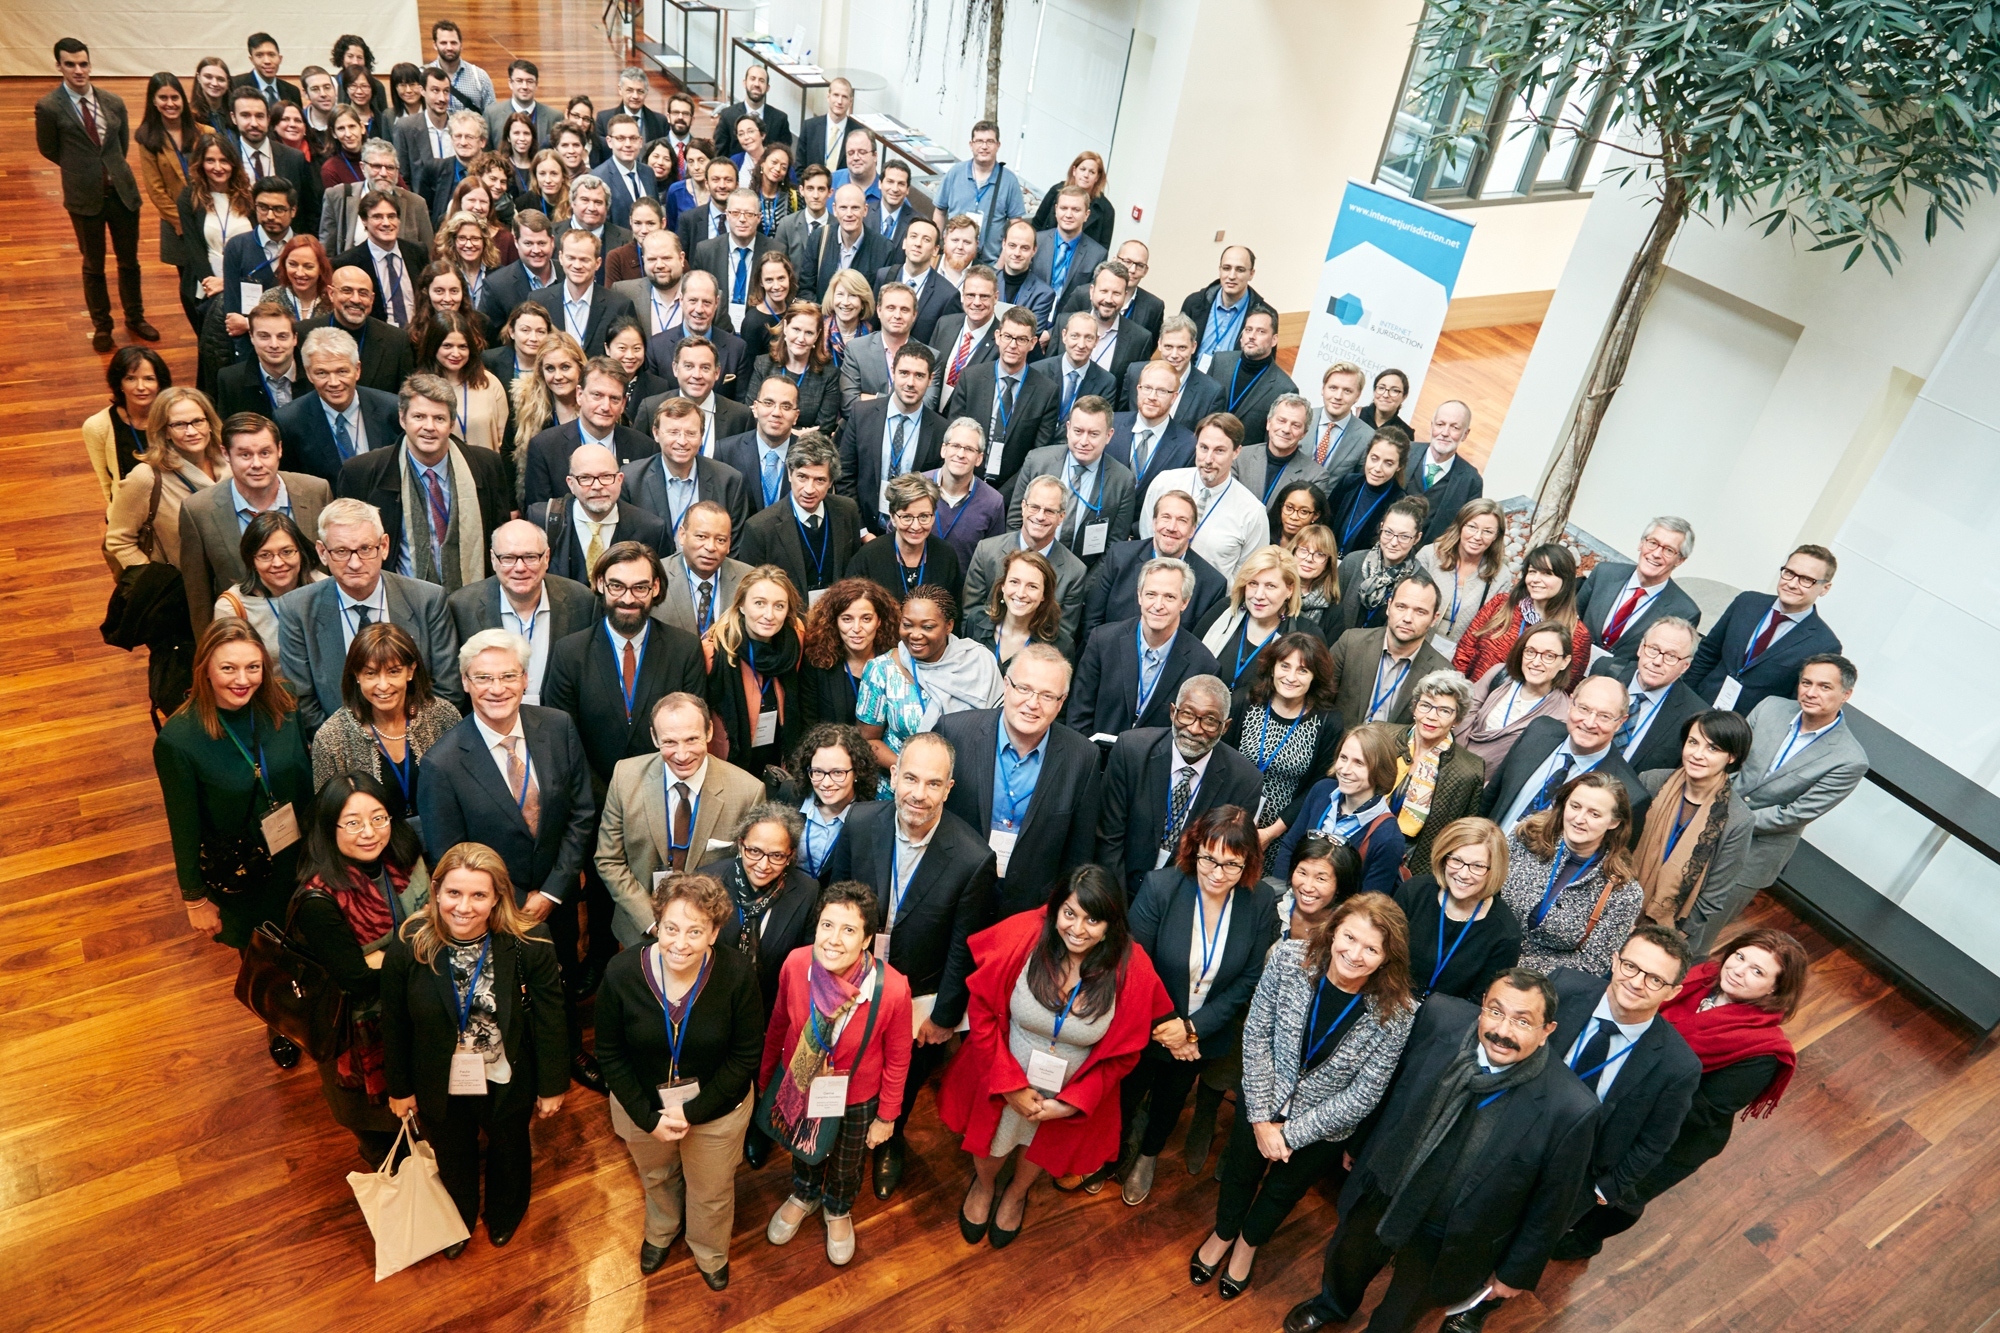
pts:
[633, 832]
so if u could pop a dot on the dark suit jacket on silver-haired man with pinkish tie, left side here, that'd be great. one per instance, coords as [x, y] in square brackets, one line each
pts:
[465, 800]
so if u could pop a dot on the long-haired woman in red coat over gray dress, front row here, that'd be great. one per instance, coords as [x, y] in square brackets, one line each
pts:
[1063, 1006]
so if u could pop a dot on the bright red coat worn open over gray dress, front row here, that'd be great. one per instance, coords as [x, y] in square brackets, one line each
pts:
[979, 1080]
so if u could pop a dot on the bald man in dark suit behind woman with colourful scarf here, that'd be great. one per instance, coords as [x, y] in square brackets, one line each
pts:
[935, 880]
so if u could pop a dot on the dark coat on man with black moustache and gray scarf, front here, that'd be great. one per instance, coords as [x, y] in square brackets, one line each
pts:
[1511, 1206]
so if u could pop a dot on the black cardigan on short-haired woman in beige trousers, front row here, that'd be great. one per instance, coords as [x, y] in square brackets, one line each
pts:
[721, 1048]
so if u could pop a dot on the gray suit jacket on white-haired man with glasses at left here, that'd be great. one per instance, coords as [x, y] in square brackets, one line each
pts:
[313, 647]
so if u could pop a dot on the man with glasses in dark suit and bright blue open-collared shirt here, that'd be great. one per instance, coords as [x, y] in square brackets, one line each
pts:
[1039, 800]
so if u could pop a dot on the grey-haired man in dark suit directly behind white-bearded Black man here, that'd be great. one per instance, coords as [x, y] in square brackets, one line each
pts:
[1133, 668]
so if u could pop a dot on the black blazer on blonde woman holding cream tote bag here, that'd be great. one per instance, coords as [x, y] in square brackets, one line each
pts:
[421, 1024]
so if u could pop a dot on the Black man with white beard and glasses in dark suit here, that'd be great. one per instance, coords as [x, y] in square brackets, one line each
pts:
[1159, 780]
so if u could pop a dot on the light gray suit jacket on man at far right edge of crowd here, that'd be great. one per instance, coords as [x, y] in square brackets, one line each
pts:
[1783, 804]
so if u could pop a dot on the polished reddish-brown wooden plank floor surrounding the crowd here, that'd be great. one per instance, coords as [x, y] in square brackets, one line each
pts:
[157, 1172]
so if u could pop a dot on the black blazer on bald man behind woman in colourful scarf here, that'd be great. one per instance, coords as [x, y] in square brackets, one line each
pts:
[951, 896]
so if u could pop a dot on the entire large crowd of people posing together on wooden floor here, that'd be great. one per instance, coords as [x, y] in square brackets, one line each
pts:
[677, 615]
